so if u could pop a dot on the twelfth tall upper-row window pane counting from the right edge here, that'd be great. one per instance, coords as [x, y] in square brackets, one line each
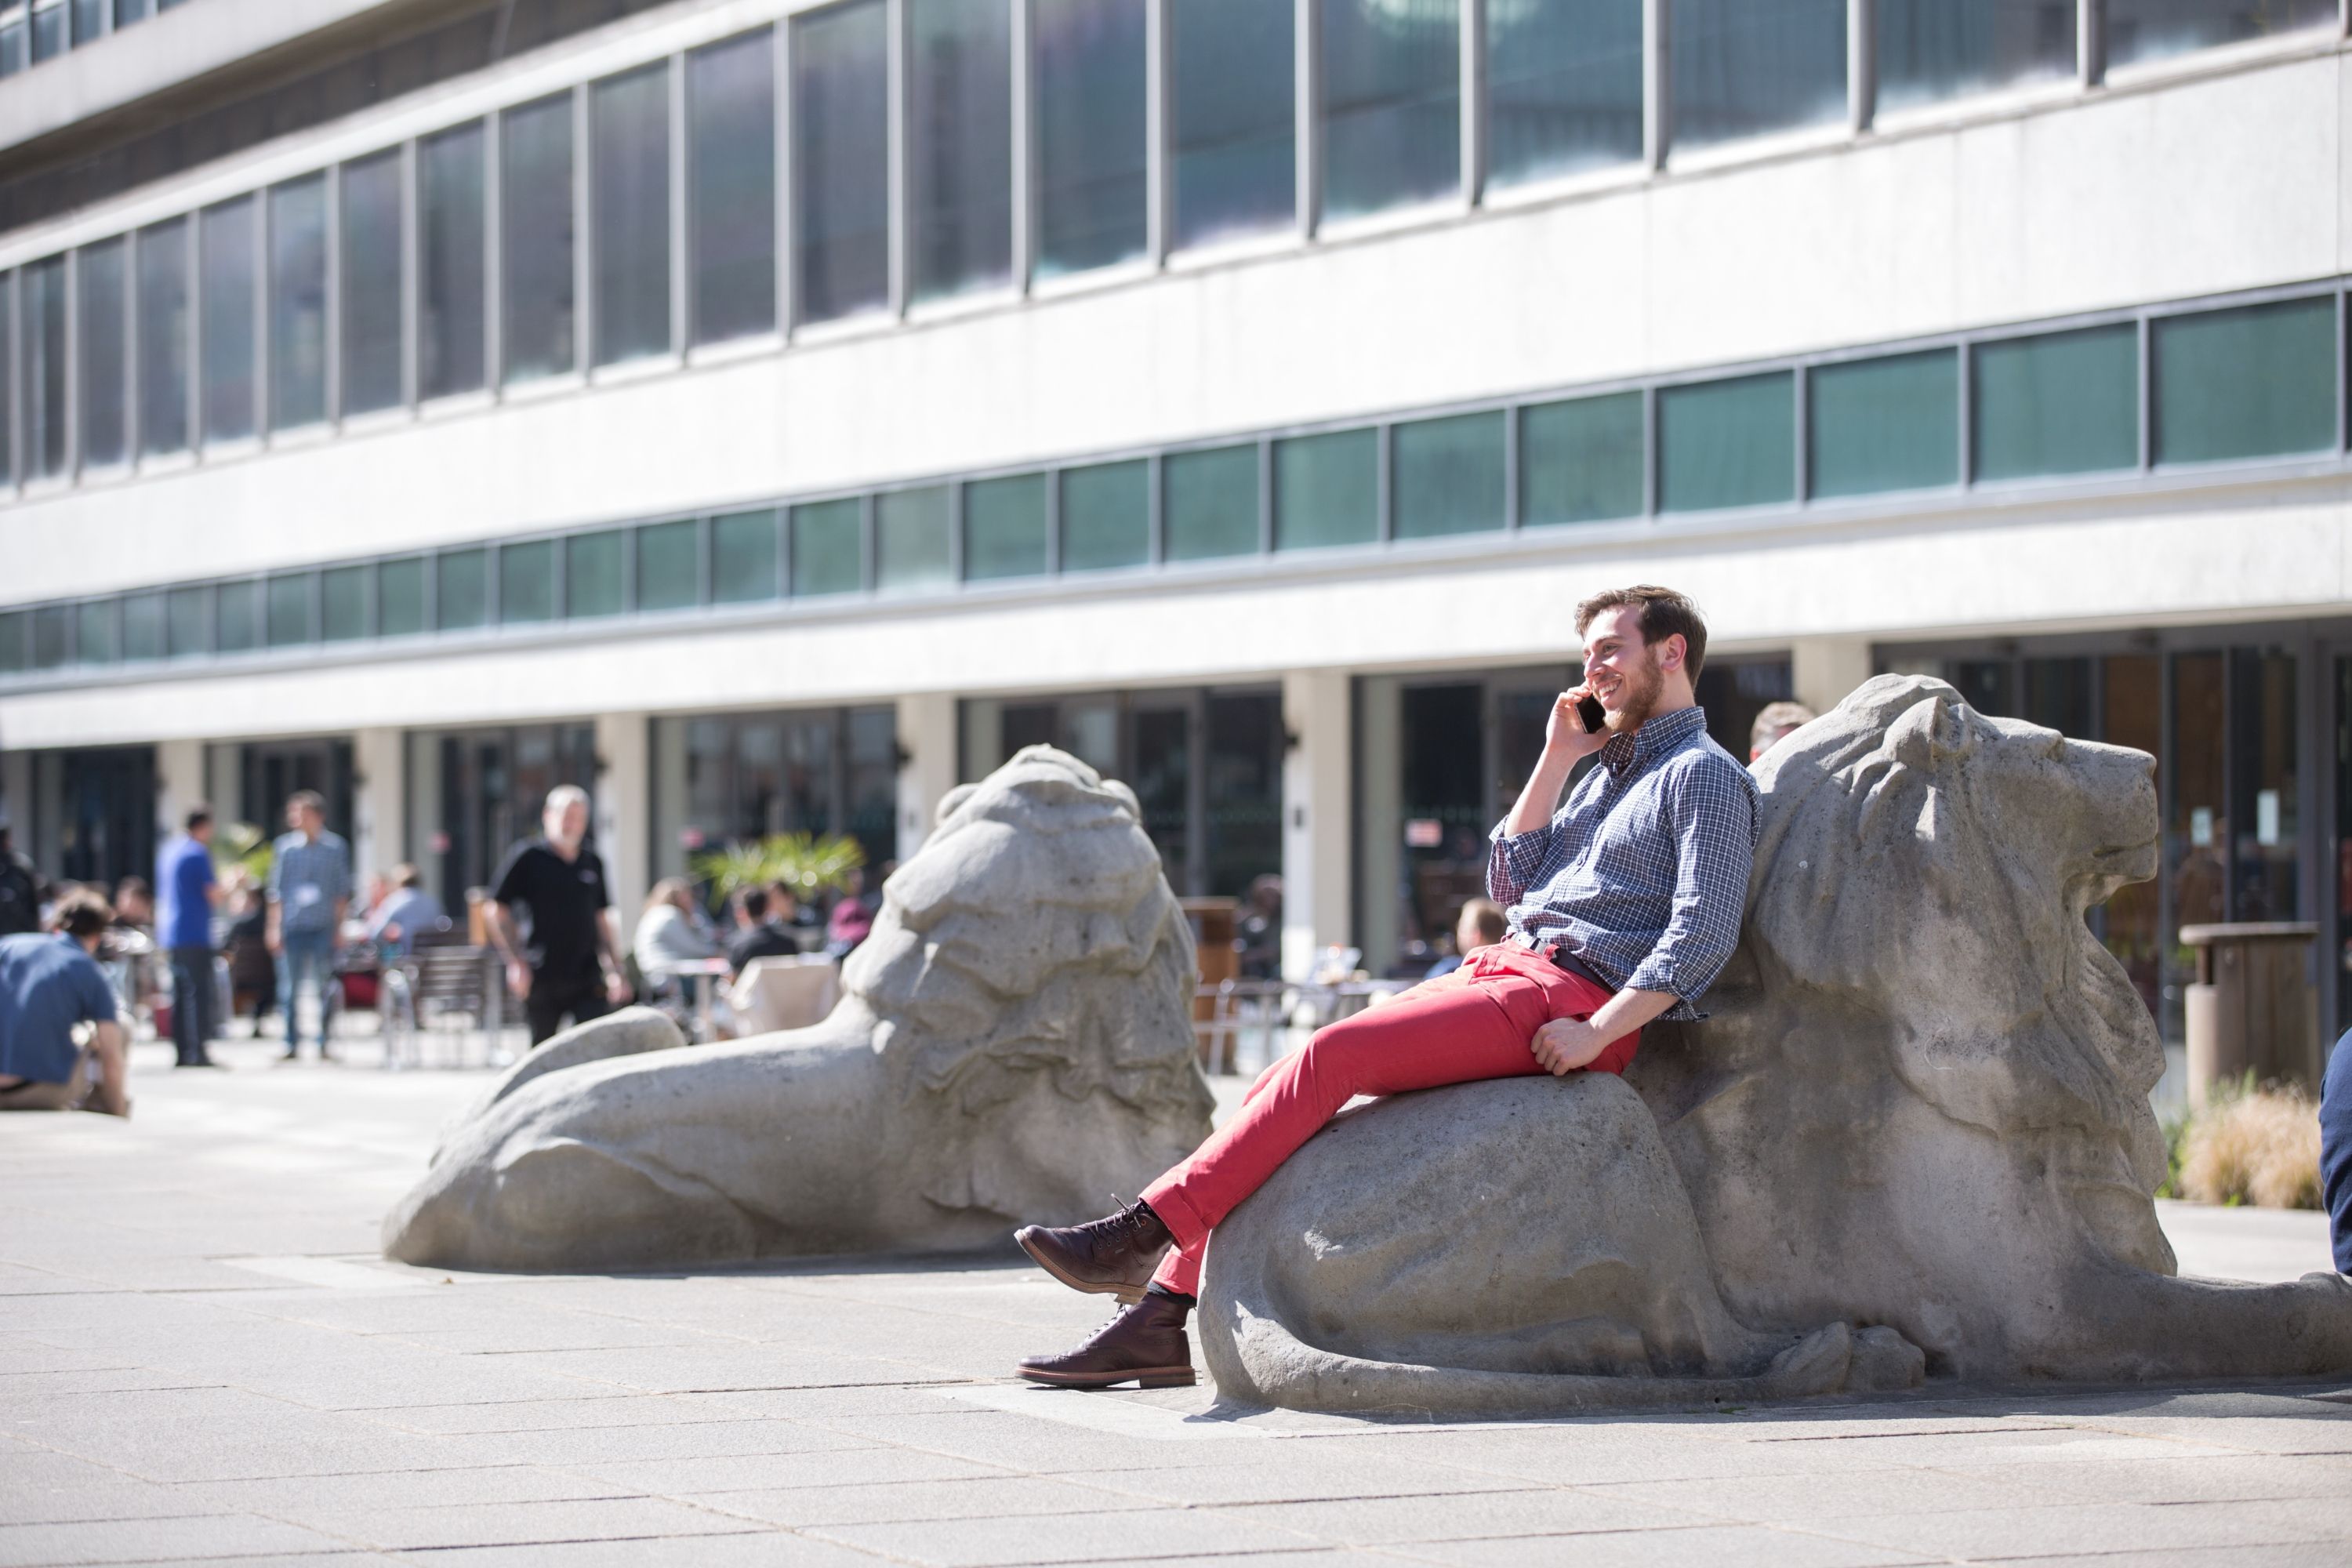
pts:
[535, 206]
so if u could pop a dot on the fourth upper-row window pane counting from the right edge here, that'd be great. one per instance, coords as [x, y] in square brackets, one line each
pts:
[1563, 88]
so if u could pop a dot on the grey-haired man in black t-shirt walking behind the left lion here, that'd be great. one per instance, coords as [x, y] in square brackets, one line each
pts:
[570, 960]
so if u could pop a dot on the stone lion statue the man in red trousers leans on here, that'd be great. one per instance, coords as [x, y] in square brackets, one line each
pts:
[1911, 1139]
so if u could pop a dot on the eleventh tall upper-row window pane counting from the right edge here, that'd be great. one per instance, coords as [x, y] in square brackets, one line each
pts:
[629, 123]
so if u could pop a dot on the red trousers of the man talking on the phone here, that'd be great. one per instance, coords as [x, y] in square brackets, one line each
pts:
[1474, 1024]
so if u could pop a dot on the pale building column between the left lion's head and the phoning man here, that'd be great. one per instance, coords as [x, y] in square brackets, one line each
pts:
[1316, 864]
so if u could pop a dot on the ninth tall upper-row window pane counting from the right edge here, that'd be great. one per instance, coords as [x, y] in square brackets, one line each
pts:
[841, 161]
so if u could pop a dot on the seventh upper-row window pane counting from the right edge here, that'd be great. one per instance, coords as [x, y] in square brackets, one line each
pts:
[1090, 133]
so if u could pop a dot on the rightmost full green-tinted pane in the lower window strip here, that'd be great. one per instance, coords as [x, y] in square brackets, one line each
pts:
[2245, 384]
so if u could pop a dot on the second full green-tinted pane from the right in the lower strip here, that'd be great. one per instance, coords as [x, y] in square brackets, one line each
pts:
[2057, 403]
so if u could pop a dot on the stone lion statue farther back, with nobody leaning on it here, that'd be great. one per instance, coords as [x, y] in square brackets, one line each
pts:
[1015, 1040]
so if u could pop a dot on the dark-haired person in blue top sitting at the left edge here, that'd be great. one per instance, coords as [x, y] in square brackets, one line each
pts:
[51, 984]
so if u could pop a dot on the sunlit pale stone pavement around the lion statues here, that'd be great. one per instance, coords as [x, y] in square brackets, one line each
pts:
[203, 1360]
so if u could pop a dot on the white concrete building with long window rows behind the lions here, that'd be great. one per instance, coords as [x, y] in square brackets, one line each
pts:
[773, 413]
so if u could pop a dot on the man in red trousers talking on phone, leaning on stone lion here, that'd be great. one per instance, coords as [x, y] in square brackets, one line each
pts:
[1622, 909]
